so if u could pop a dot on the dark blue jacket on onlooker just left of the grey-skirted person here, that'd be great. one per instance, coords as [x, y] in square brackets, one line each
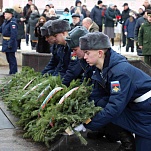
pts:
[96, 15]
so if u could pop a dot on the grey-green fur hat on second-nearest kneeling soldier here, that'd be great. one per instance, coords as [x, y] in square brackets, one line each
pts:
[74, 35]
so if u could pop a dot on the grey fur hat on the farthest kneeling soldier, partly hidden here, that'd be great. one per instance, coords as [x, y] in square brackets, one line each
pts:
[45, 28]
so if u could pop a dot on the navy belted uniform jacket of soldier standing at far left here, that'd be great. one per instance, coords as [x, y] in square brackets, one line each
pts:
[9, 30]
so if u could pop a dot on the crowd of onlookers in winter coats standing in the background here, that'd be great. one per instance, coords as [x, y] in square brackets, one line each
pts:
[101, 14]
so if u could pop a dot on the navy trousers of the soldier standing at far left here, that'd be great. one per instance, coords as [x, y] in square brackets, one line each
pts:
[11, 59]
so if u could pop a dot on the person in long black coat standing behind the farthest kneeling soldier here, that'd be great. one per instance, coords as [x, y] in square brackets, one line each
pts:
[42, 46]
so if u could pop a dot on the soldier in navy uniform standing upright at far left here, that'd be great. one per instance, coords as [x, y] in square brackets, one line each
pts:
[9, 44]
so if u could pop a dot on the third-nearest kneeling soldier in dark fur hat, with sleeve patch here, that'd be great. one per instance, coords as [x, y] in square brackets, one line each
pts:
[70, 61]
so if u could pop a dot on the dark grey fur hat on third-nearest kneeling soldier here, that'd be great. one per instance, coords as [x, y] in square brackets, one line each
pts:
[60, 25]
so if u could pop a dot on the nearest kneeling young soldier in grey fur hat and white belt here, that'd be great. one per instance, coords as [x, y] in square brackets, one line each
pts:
[125, 89]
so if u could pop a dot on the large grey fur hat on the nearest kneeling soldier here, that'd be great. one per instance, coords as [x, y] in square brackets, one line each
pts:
[95, 41]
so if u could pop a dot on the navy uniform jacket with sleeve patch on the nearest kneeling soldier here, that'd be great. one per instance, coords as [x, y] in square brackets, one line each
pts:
[122, 83]
